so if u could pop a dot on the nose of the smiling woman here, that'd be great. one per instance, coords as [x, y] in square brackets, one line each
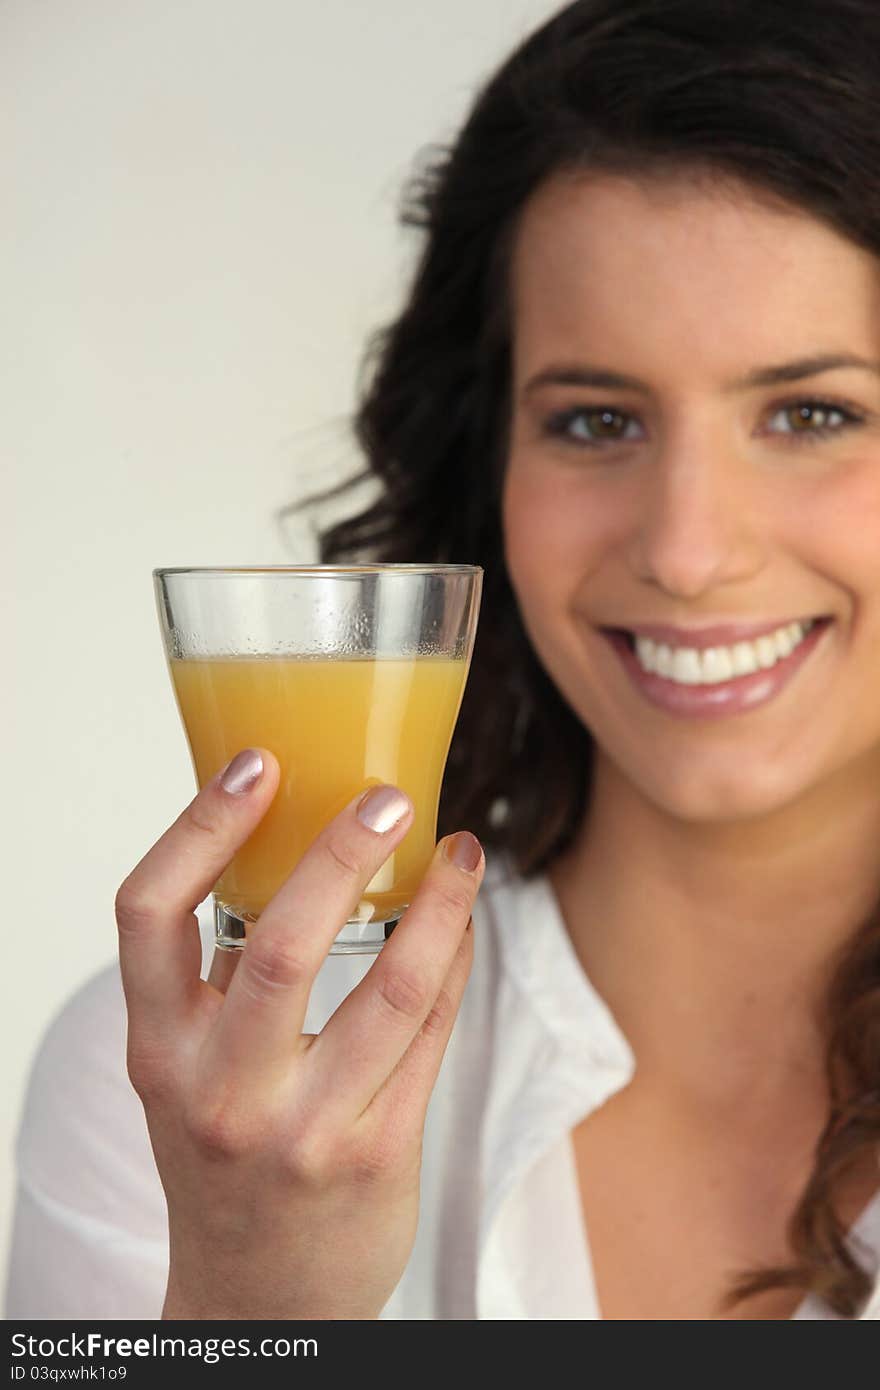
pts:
[699, 519]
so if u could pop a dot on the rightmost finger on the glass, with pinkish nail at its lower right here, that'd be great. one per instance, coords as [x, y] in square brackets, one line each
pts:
[376, 1024]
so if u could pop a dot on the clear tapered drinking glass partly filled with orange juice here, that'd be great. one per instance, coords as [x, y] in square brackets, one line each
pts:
[352, 676]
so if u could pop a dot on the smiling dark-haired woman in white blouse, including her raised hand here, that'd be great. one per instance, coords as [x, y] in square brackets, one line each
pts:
[639, 382]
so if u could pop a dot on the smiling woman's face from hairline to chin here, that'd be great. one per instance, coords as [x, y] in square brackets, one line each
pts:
[732, 479]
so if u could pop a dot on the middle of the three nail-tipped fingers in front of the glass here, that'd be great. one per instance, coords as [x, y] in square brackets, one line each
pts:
[258, 1029]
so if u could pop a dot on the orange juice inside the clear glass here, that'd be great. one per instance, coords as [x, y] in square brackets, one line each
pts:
[337, 726]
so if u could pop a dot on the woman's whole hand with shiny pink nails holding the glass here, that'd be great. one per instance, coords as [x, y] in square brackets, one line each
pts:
[290, 1163]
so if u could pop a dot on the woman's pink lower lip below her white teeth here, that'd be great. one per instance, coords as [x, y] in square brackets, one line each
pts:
[733, 697]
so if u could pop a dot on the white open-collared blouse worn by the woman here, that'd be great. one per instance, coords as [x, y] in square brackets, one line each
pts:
[501, 1232]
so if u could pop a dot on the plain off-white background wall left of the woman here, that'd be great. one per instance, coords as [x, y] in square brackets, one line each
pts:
[198, 236]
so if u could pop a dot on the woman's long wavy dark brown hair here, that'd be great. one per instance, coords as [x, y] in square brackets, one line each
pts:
[781, 97]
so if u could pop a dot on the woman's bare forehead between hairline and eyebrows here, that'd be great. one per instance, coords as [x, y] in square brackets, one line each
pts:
[685, 272]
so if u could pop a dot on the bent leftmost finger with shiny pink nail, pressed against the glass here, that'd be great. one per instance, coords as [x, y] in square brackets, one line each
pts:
[161, 954]
